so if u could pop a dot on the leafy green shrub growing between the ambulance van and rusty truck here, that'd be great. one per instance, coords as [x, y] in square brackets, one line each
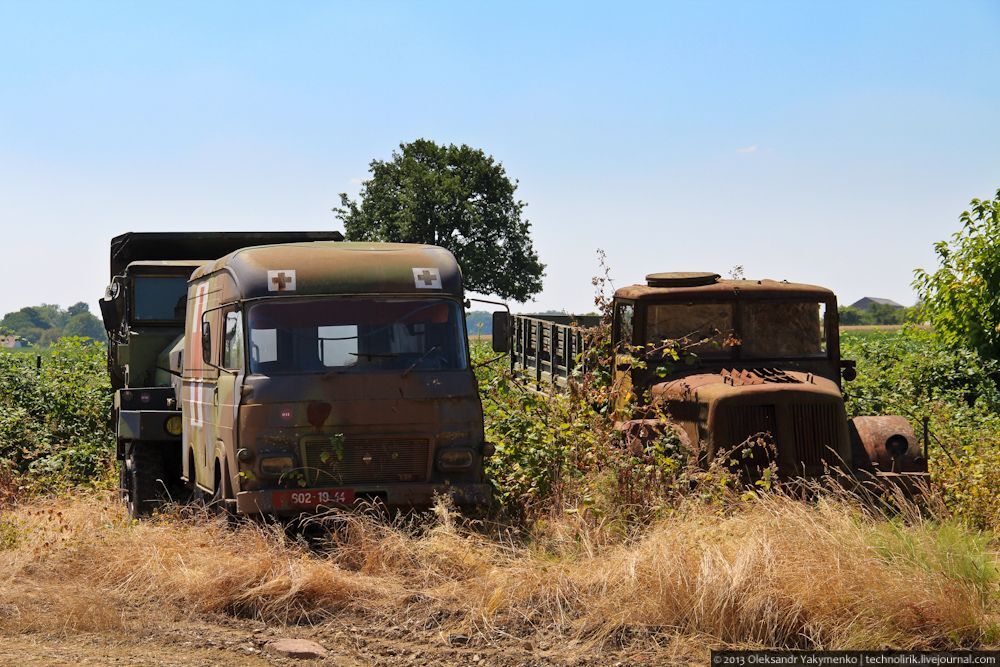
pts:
[559, 451]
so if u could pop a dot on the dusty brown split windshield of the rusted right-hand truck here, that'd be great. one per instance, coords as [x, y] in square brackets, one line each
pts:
[756, 330]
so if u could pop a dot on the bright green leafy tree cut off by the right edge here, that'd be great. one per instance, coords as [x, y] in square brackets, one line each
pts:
[961, 299]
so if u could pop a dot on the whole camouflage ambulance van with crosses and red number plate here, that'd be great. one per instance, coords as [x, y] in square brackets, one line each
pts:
[318, 374]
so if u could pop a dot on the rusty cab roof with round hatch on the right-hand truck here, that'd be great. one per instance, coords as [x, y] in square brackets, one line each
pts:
[711, 288]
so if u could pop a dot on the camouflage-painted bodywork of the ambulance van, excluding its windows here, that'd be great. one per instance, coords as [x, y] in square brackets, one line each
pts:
[381, 416]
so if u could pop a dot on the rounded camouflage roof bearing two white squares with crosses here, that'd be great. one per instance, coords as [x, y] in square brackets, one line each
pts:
[339, 268]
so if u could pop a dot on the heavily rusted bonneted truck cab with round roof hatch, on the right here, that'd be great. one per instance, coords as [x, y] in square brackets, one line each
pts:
[734, 361]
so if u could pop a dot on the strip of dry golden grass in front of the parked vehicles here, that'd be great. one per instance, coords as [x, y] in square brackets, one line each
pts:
[771, 572]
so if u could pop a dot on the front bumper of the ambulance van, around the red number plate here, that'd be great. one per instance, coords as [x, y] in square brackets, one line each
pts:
[402, 496]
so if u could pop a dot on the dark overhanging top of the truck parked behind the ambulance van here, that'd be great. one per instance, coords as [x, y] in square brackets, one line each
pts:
[134, 246]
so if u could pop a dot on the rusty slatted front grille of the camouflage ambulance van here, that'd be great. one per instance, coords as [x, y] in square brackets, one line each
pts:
[364, 460]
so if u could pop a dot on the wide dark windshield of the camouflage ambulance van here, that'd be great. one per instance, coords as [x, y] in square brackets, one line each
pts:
[356, 335]
